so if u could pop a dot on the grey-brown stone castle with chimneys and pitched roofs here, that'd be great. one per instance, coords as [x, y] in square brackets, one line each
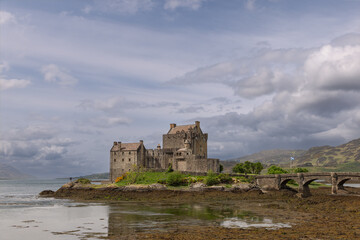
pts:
[184, 148]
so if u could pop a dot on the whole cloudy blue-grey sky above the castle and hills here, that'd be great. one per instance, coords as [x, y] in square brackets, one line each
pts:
[76, 75]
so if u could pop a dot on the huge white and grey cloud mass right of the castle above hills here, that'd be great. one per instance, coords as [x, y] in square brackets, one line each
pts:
[305, 97]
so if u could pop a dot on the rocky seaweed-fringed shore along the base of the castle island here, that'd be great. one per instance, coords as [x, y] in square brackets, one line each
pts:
[152, 192]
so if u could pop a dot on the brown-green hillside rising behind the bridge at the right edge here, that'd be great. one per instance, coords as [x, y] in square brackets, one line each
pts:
[328, 156]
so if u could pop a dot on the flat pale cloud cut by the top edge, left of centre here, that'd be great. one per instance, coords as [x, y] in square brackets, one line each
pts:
[120, 6]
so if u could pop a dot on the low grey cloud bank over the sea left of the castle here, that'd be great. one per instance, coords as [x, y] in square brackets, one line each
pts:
[40, 150]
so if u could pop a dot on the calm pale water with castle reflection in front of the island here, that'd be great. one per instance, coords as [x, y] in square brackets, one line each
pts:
[25, 216]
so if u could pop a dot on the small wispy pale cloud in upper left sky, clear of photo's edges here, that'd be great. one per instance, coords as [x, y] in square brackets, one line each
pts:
[53, 73]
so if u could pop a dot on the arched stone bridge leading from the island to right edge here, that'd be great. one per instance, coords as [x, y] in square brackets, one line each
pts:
[279, 181]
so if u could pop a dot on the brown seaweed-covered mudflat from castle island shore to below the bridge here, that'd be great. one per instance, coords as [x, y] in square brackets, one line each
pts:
[320, 216]
